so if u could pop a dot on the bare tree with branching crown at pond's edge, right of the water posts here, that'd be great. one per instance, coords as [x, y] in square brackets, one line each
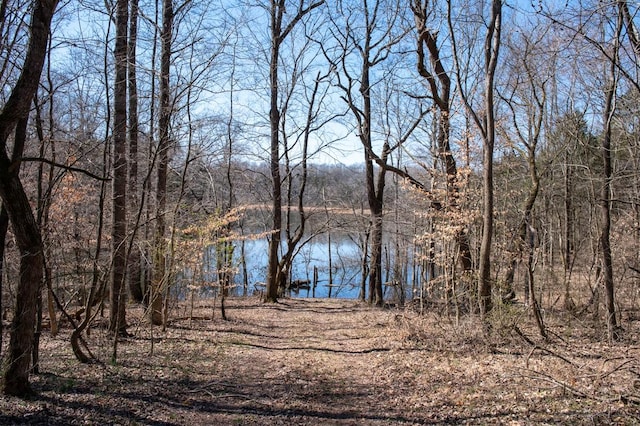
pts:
[365, 34]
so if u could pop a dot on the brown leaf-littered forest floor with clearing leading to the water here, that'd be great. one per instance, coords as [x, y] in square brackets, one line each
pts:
[336, 362]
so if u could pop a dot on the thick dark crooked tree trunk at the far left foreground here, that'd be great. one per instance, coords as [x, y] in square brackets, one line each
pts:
[16, 202]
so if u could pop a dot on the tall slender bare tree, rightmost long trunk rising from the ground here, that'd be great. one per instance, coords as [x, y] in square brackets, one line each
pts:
[602, 28]
